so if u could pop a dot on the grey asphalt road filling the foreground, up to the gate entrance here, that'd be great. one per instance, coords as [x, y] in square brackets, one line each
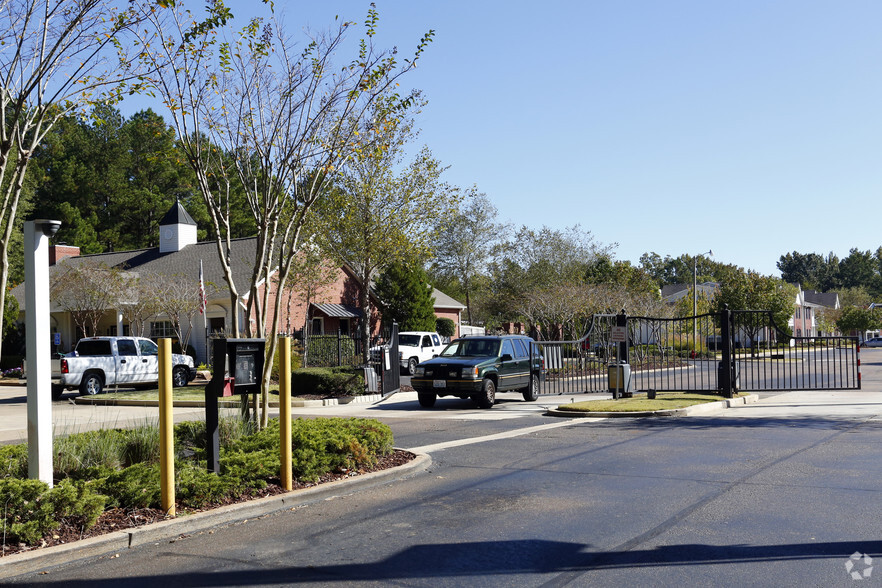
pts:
[787, 491]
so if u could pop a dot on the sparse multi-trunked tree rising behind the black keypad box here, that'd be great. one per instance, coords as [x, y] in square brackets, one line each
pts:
[250, 108]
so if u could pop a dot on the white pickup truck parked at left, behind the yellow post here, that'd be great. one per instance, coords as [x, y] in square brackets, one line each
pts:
[97, 362]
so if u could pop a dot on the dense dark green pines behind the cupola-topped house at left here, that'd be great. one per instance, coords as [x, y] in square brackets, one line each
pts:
[111, 180]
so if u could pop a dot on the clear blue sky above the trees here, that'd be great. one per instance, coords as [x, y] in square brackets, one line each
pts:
[751, 128]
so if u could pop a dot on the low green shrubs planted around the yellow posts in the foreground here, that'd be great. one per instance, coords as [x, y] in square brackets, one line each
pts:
[98, 492]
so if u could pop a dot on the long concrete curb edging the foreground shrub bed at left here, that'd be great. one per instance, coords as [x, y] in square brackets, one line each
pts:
[168, 531]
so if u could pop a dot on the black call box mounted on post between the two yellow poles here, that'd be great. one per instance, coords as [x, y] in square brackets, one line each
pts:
[238, 366]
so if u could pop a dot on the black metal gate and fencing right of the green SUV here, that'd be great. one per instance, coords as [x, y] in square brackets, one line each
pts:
[715, 352]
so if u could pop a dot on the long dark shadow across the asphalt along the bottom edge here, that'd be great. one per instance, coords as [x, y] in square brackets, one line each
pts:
[495, 558]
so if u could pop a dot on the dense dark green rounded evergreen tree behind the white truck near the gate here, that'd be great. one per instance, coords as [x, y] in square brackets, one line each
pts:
[406, 297]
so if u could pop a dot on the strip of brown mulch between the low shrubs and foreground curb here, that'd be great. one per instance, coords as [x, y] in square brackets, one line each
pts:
[119, 519]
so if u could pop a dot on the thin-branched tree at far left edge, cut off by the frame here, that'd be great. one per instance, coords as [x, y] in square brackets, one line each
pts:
[56, 57]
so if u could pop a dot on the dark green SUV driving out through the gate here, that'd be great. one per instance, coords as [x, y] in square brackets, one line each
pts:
[476, 367]
